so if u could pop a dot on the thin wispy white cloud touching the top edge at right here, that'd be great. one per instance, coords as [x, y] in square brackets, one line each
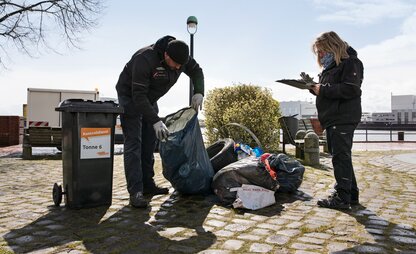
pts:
[363, 12]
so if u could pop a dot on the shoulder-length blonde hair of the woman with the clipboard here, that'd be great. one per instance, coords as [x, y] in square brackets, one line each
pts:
[330, 42]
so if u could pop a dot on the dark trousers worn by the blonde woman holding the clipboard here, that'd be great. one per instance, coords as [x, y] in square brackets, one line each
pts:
[340, 139]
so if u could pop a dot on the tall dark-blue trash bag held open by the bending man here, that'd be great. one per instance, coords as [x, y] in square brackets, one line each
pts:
[185, 161]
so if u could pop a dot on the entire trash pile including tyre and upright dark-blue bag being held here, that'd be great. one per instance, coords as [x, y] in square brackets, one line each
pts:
[239, 175]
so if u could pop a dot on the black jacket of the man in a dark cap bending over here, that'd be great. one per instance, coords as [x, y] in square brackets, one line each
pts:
[146, 78]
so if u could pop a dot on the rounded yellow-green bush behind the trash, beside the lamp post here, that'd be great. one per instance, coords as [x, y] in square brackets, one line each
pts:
[249, 105]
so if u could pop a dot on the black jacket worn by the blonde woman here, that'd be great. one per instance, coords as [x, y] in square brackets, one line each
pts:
[339, 99]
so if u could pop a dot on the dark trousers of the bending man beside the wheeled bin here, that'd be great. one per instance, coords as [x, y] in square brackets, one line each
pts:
[139, 146]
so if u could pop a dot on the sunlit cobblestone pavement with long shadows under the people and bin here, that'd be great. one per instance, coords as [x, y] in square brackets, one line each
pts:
[384, 223]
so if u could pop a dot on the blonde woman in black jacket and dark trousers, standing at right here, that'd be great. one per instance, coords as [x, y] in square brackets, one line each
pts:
[338, 100]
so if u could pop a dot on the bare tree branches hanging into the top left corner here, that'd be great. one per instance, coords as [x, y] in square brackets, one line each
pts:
[26, 24]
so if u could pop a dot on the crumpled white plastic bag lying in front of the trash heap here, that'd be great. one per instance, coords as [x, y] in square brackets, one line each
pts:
[253, 197]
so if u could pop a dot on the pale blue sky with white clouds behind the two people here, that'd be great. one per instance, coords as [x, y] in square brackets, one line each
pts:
[237, 42]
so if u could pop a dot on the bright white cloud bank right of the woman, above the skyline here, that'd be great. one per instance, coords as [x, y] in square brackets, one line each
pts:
[389, 68]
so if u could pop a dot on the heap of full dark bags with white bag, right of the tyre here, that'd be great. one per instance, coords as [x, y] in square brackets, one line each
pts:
[252, 182]
